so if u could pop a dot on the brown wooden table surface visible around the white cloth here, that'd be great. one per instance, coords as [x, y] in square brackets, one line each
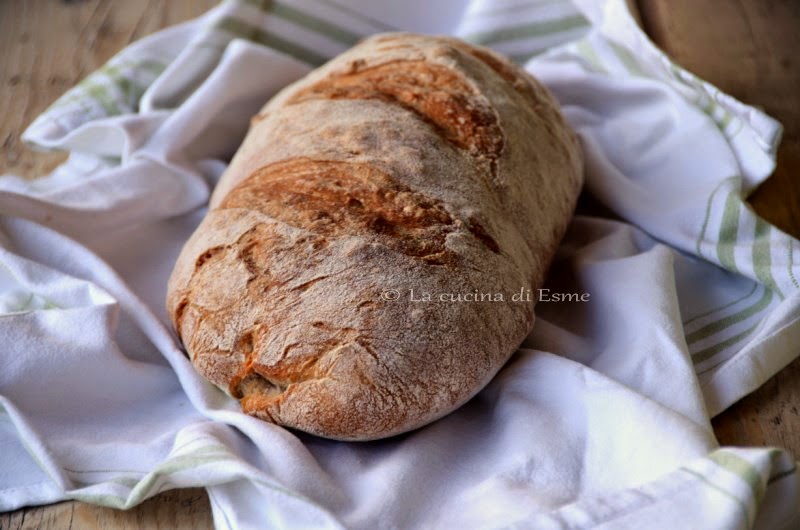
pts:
[748, 48]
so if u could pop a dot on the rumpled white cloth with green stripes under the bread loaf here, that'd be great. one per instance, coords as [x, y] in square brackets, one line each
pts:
[600, 420]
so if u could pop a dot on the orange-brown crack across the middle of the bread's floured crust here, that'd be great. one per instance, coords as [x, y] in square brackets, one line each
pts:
[336, 199]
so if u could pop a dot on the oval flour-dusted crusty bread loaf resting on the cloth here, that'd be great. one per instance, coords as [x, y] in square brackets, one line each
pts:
[408, 166]
